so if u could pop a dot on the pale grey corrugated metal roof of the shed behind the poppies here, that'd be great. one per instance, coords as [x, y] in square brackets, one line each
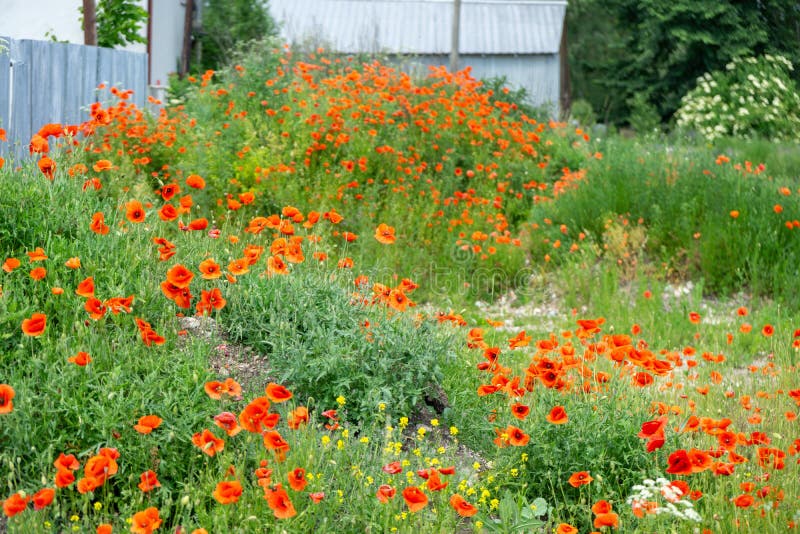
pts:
[423, 26]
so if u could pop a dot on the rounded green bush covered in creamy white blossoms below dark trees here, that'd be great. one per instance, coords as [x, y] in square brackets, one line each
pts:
[752, 97]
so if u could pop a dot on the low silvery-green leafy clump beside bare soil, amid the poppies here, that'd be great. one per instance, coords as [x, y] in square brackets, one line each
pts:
[326, 346]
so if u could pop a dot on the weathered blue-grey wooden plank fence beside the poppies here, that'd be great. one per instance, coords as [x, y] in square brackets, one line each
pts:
[43, 82]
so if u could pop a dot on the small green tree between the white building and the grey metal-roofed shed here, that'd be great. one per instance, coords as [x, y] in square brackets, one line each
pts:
[226, 23]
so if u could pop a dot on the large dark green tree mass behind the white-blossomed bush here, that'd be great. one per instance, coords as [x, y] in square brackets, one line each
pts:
[658, 48]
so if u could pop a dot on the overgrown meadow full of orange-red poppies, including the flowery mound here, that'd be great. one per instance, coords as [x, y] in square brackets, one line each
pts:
[314, 294]
